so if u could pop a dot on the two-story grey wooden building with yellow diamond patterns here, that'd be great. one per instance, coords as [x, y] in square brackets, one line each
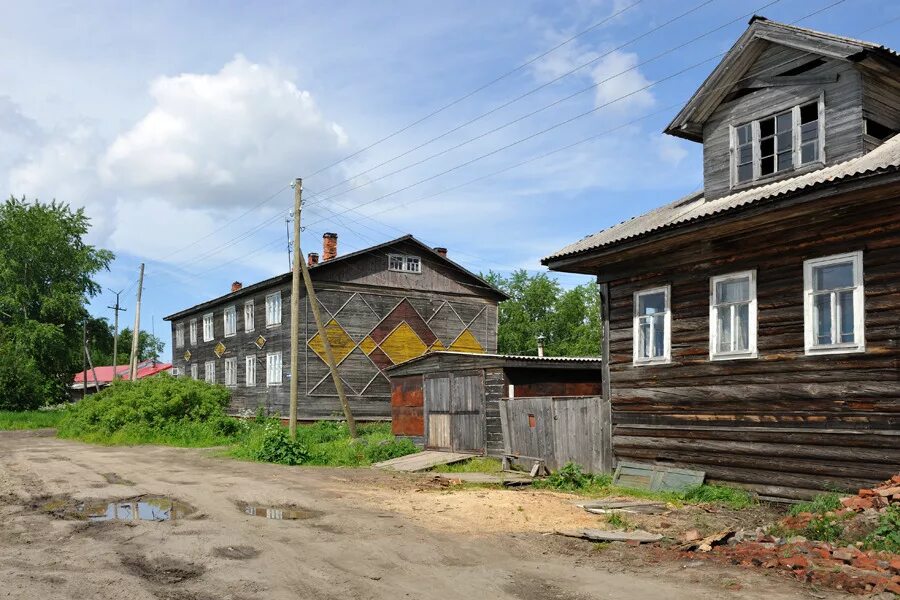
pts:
[382, 305]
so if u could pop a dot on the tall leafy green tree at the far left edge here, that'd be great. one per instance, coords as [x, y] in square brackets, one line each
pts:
[46, 272]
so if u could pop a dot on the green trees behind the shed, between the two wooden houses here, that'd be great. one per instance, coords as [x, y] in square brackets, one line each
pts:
[569, 320]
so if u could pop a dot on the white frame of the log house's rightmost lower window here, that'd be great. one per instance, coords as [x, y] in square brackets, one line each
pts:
[859, 317]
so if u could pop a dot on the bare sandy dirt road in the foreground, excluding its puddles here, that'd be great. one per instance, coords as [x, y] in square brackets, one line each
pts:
[375, 535]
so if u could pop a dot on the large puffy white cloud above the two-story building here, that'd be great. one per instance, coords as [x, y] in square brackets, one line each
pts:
[213, 140]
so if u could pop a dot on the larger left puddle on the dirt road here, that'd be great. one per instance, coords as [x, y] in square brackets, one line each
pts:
[144, 508]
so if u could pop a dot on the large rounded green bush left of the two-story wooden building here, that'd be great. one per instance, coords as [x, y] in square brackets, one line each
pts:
[152, 409]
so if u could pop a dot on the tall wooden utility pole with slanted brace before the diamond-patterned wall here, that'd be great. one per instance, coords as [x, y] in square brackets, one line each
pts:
[299, 267]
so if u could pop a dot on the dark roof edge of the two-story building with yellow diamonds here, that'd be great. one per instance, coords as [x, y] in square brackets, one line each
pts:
[322, 267]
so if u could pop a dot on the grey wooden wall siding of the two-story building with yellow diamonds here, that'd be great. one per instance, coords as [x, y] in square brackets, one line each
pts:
[369, 398]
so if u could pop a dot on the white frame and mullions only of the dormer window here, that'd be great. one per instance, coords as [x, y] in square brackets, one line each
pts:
[796, 150]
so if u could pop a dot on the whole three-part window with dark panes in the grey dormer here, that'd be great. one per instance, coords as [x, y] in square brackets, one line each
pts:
[777, 143]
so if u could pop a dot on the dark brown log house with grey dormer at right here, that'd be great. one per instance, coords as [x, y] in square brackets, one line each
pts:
[752, 330]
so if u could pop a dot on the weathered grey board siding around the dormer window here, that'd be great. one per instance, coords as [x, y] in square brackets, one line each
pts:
[843, 112]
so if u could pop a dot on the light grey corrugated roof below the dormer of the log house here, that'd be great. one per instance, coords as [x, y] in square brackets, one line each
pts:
[695, 206]
